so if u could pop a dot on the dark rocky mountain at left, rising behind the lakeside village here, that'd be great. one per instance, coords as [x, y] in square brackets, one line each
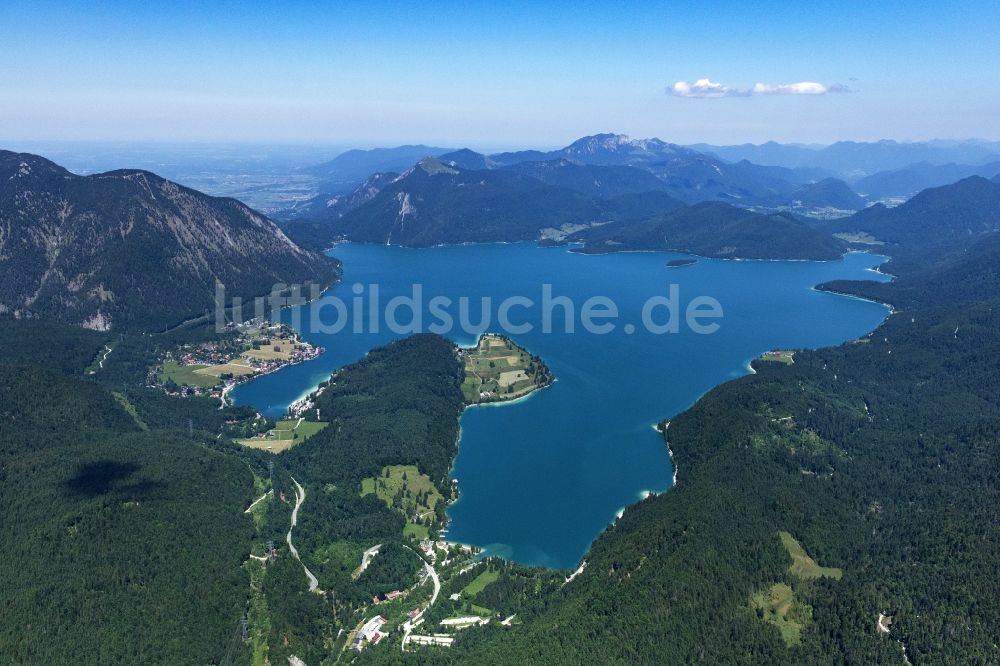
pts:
[128, 249]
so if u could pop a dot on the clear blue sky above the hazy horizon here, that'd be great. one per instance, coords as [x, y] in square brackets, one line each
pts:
[491, 76]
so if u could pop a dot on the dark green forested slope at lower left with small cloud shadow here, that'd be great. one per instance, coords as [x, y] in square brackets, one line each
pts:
[123, 539]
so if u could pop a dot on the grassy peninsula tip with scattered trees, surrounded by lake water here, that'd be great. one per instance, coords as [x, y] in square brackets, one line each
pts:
[497, 369]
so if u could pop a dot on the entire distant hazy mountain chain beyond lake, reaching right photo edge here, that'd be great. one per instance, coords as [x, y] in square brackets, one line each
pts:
[816, 181]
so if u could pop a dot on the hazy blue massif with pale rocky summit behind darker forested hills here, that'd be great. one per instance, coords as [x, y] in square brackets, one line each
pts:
[629, 166]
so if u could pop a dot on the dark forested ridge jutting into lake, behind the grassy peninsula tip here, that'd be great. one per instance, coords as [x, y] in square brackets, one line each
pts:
[399, 405]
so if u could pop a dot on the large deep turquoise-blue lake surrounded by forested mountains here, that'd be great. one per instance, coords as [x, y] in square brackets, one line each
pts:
[540, 478]
